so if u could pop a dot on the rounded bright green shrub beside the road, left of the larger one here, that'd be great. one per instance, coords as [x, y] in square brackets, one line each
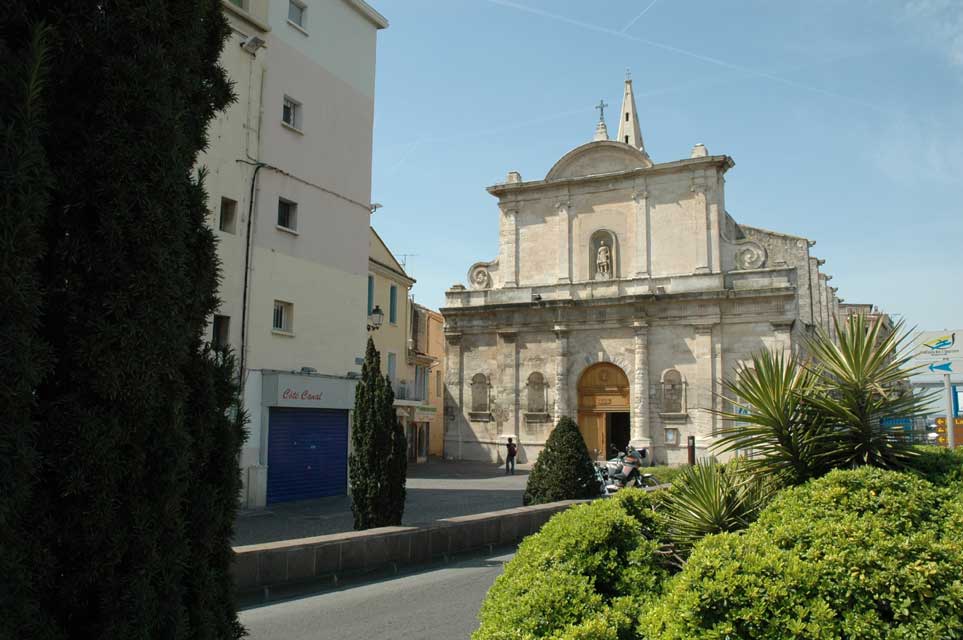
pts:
[576, 571]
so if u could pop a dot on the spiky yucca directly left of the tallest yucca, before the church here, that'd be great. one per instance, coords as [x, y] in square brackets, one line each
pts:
[774, 423]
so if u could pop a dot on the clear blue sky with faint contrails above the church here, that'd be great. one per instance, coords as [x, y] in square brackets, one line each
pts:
[845, 120]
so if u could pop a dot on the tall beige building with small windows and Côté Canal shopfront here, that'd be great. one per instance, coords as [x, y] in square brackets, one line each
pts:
[292, 220]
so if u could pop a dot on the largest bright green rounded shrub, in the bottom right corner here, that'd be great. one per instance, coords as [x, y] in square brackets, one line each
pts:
[856, 554]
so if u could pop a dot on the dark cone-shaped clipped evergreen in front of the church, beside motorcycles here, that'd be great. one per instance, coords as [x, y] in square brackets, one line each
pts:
[564, 470]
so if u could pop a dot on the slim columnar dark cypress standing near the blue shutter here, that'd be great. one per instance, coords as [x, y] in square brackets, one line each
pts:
[378, 463]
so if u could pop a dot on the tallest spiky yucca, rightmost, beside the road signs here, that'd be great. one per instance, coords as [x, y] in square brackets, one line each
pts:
[859, 384]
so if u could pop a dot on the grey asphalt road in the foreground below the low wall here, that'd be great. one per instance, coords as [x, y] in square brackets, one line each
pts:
[439, 603]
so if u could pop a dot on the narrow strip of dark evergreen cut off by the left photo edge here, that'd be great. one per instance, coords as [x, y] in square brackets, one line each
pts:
[24, 187]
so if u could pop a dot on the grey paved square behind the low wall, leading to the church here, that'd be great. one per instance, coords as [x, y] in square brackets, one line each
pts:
[435, 490]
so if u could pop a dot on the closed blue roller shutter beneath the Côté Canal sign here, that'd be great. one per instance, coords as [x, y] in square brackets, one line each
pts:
[307, 454]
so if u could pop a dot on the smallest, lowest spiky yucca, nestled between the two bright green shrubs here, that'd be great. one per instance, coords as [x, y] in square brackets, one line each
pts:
[711, 498]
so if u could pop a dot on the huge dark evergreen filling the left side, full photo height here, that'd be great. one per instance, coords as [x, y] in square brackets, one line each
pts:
[131, 457]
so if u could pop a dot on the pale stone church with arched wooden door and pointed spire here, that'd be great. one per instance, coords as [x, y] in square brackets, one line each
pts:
[622, 294]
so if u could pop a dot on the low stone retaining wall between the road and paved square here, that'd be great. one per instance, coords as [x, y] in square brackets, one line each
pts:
[260, 569]
